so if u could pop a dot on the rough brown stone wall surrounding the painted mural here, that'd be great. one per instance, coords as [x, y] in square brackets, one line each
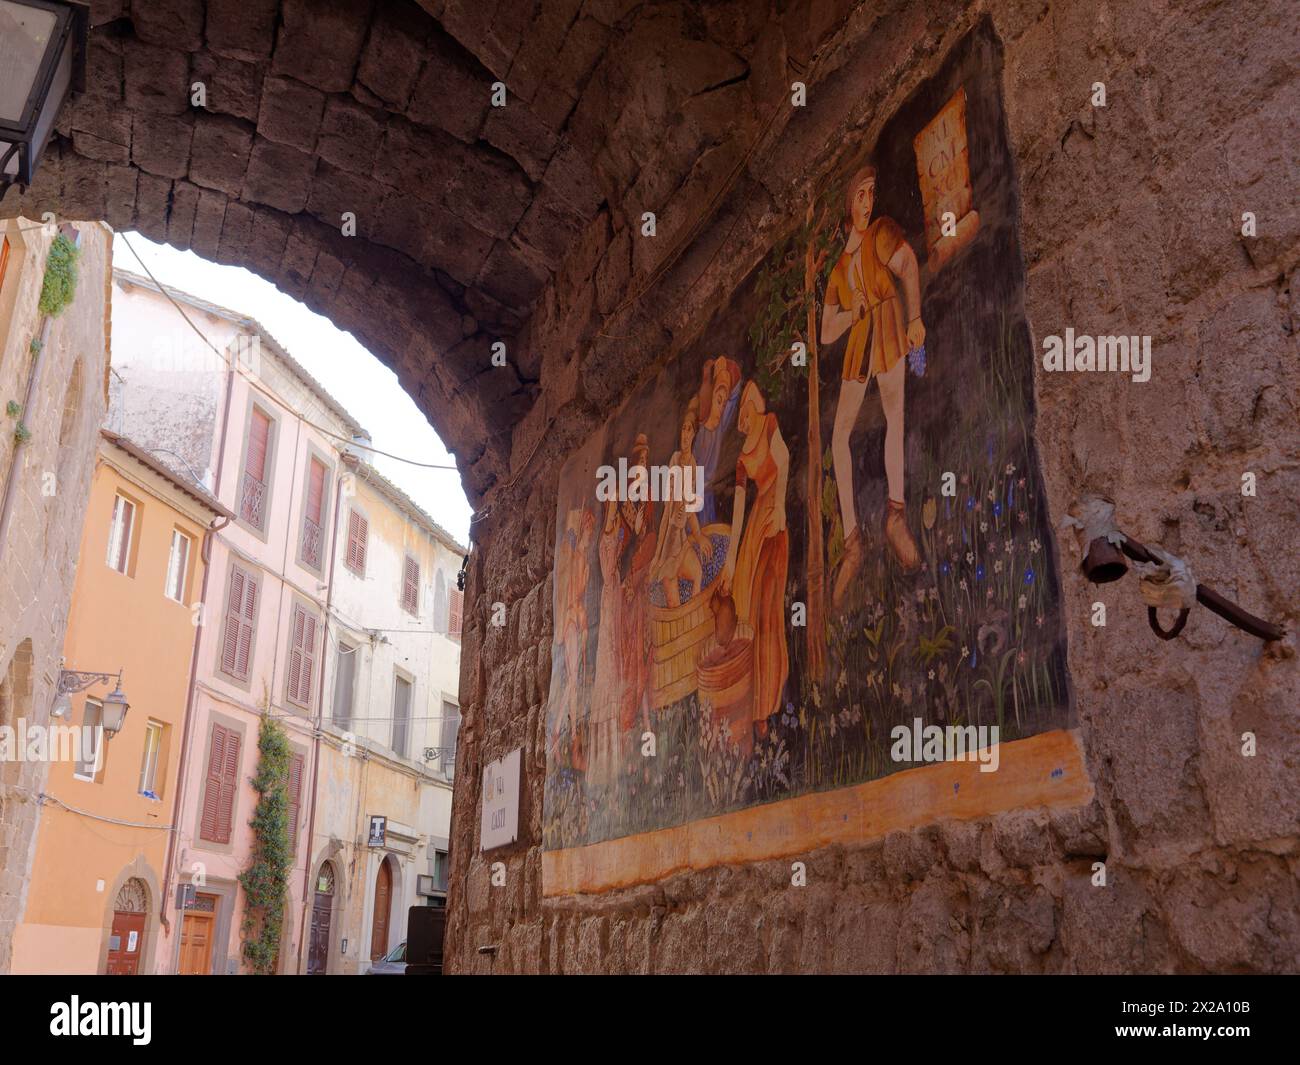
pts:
[1130, 224]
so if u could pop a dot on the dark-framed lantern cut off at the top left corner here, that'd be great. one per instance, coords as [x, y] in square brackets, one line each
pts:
[42, 59]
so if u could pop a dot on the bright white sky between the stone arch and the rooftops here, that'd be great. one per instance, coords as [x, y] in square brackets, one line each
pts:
[362, 384]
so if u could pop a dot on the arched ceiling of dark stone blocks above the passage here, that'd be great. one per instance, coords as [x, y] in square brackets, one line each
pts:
[465, 213]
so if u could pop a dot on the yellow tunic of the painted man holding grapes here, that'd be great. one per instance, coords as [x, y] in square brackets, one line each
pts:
[882, 331]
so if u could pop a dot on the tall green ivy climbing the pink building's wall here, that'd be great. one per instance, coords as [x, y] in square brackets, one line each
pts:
[267, 878]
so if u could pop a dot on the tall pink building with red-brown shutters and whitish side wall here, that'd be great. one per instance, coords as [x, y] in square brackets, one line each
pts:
[268, 440]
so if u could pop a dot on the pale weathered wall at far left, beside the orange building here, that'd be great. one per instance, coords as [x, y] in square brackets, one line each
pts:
[38, 562]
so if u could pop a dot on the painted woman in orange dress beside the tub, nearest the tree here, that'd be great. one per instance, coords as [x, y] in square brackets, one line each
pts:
[756, 570]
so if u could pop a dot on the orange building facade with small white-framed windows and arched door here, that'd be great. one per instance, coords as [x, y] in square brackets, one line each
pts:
[110, 807]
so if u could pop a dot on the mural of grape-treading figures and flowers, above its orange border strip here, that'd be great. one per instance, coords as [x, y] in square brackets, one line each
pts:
[857, 535]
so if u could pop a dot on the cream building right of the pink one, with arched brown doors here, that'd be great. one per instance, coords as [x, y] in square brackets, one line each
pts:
[393, 661]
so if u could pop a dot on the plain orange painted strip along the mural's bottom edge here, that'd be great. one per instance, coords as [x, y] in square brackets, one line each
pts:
[1045, 770]
